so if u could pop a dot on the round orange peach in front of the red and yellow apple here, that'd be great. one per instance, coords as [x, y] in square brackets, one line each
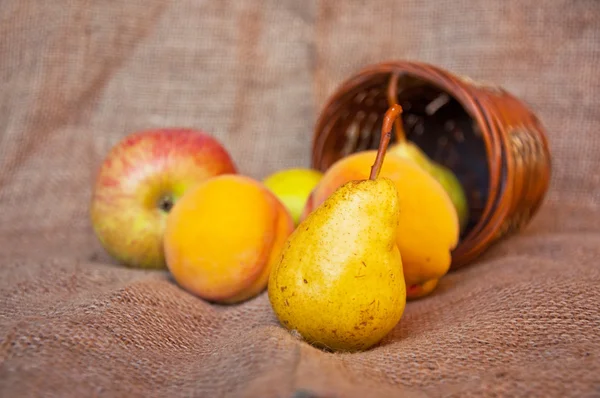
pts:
[223, 237]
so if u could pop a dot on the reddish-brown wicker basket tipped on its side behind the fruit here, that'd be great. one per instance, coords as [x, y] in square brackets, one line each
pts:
[494, 144]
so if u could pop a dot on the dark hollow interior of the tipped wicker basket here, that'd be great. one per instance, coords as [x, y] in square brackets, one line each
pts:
[432, 118]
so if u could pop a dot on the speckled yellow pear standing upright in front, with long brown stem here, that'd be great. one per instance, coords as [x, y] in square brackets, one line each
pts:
[339, 282]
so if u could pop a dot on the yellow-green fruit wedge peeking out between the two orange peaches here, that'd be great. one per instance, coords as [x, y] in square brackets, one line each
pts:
[292, 187]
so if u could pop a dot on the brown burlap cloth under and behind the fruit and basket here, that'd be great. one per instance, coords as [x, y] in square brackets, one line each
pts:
[77, 76]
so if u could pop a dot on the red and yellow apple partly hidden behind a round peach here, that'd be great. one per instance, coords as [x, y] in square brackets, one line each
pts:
[138, 183]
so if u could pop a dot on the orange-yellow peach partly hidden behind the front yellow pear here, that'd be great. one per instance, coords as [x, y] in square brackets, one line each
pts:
[428, 229]
